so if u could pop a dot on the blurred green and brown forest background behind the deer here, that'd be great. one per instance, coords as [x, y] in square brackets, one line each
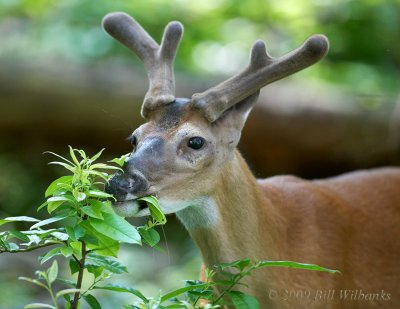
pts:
[63, 81]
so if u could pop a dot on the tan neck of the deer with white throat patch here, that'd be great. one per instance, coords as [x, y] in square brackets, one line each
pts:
[226, 225]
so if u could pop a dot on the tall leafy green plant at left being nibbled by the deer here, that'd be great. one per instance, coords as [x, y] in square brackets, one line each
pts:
[90, 235]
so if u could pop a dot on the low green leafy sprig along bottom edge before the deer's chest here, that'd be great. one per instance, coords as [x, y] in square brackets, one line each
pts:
[220, 288]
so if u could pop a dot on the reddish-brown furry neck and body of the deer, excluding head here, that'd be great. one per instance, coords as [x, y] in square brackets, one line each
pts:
[350, 223]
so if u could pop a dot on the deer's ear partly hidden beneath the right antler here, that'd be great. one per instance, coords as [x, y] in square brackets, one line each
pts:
[236, 116]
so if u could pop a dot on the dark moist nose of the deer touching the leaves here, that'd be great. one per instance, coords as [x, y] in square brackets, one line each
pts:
[121, 184]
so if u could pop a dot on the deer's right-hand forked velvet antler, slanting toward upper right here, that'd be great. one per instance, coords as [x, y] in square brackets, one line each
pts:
[261, 71]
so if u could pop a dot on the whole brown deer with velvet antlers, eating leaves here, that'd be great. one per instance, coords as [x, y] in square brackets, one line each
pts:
[186, 155]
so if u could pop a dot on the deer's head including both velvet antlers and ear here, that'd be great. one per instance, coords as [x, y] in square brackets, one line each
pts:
[179, 153]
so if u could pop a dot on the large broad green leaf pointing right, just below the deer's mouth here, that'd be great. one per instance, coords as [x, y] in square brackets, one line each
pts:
[116, 228]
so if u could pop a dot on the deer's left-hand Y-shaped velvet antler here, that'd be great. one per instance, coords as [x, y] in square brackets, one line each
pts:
[158, 60]
